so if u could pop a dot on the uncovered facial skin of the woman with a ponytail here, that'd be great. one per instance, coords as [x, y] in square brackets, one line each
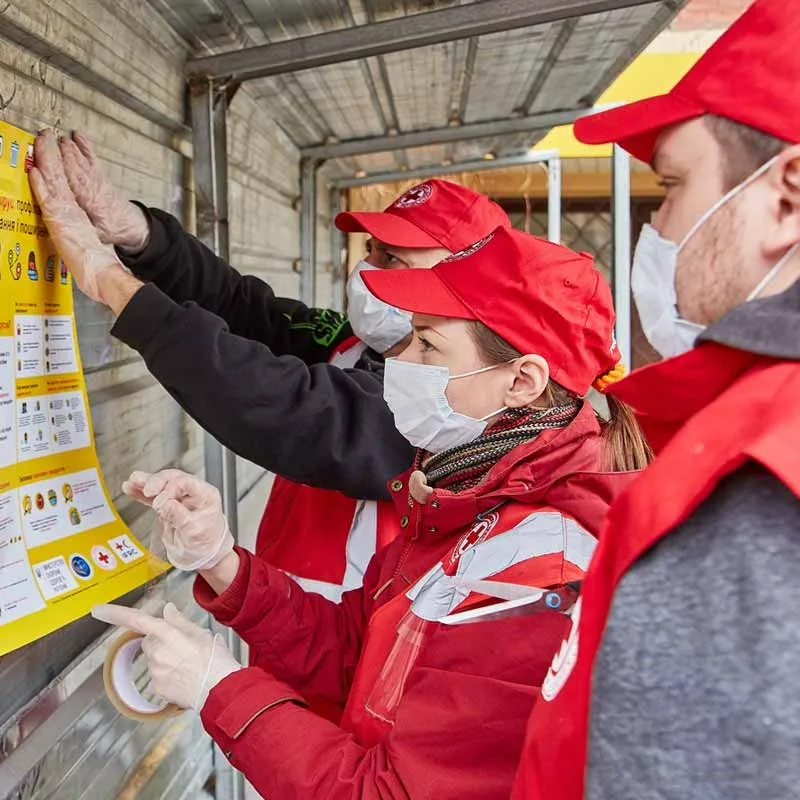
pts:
[442, 342]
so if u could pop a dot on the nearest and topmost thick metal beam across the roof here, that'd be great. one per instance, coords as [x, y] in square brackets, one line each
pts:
[403, 33]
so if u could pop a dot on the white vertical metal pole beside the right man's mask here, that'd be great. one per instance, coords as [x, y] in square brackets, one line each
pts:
[621, 248]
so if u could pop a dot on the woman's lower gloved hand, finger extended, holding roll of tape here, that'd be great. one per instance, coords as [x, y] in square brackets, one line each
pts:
[185, 661]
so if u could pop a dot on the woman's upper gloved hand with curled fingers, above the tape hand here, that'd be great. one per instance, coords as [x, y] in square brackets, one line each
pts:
[195, 531]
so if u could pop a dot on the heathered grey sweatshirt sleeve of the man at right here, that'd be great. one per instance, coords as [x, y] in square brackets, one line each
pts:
[696, 692]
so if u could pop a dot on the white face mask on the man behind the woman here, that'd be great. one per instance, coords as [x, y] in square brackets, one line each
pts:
[377, 324]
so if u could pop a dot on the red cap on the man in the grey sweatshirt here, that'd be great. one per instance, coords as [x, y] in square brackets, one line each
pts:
[749, 75]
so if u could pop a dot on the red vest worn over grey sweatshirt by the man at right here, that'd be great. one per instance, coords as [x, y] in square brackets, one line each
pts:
[706, 413]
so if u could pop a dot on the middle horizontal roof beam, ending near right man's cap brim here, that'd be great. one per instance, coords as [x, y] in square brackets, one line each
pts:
[446, 135]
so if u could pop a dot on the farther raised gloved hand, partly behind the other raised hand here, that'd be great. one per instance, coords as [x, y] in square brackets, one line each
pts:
[116, 220]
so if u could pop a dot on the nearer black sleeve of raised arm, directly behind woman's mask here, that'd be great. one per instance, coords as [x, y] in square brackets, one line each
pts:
[316, 424]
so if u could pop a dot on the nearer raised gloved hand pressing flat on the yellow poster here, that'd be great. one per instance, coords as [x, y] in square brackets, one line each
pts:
[72, 232]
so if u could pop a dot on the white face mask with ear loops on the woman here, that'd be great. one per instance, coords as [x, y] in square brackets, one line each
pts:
[415, 393]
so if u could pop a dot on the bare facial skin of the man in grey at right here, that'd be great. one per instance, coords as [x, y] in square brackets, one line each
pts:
[735, 247]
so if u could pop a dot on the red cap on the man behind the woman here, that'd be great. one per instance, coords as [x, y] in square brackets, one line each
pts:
[432, 214]
